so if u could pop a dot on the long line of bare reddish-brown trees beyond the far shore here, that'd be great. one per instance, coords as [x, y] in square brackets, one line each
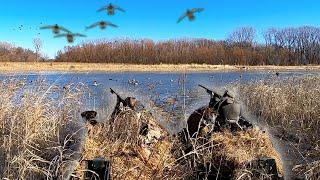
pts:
[290, 46]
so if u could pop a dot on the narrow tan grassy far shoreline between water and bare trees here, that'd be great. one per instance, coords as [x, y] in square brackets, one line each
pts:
[13, 67]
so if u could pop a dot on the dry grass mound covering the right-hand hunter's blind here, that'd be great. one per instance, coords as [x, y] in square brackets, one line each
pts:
[226, 155]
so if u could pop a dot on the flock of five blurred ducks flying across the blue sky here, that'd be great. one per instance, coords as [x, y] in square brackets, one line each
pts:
[111, 9]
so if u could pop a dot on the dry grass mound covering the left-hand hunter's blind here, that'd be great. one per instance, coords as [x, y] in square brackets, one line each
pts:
[133, 156]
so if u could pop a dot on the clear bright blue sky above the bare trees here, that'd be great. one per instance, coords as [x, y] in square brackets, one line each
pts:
[154, 19]
